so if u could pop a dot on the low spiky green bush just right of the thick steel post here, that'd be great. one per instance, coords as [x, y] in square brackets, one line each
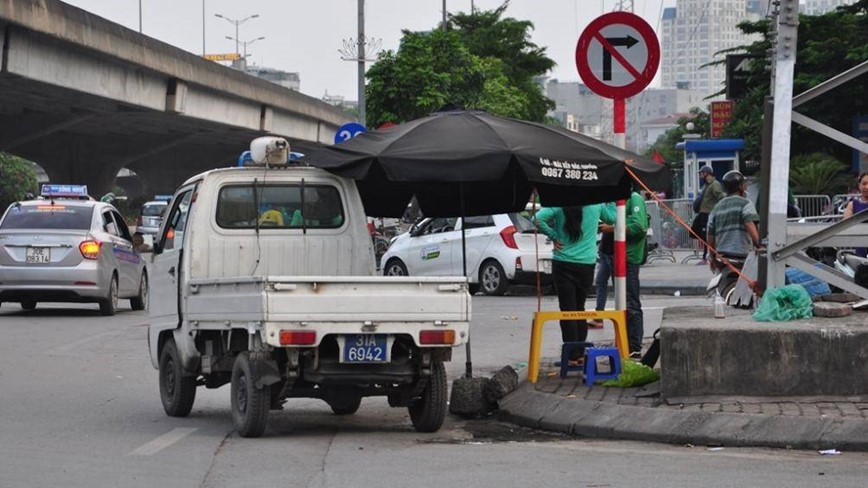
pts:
[818, 174]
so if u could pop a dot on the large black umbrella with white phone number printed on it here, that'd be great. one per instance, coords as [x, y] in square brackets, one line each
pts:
[492, 162]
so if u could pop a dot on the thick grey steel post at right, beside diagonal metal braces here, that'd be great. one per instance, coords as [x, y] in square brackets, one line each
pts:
[779, 169]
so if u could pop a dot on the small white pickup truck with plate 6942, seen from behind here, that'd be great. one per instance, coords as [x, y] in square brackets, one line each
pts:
[264, 277]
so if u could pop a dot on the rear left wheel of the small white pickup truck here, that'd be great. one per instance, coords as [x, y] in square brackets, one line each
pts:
[249, 404]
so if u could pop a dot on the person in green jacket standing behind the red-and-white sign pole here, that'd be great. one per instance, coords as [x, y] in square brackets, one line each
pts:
[636, 234]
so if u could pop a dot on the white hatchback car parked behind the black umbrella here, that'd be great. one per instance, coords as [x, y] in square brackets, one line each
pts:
[500, 251]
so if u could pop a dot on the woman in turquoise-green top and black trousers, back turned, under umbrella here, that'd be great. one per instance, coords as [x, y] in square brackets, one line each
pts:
[573, 231]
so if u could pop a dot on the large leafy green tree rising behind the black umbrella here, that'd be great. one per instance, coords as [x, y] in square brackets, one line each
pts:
[480, 62]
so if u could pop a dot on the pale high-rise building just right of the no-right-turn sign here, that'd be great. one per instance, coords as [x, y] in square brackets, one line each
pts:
[692, 32]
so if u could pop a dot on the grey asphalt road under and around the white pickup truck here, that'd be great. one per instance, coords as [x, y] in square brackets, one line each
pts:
[79, 407]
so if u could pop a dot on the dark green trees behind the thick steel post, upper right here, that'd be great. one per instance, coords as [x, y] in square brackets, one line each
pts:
[827, 45]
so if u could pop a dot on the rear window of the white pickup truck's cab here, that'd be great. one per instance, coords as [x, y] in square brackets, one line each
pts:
[281, 206]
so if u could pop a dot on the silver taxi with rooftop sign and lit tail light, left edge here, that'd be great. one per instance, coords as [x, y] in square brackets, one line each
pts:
[66, 247]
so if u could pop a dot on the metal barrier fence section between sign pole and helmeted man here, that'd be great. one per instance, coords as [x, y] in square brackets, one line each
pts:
[668, 234]
